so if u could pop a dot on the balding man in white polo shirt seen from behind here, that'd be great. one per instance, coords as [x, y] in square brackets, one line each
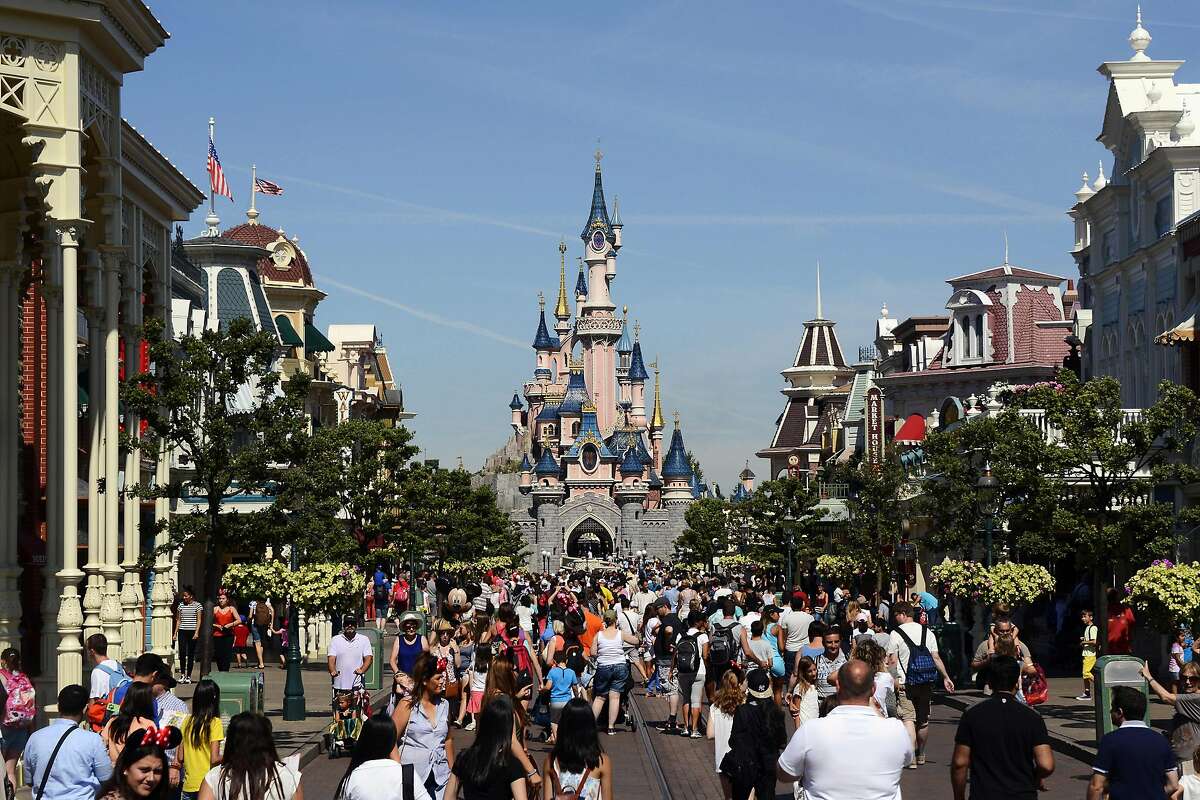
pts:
[854, 754]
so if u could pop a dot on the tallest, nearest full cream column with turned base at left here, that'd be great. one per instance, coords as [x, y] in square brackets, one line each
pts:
[70, 617]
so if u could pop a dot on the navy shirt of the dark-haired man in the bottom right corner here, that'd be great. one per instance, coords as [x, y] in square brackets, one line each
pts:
[1136, 760]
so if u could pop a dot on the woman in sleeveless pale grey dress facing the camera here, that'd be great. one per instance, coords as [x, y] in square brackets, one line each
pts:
[423, 721]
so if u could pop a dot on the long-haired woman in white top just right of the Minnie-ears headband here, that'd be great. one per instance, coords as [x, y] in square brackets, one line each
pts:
[251, 769]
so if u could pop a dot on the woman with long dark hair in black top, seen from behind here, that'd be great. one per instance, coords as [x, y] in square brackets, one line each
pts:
[488, 771]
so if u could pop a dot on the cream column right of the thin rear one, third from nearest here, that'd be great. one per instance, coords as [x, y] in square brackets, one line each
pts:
[111, 603]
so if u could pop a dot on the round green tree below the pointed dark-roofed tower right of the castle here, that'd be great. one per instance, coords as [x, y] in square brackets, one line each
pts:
[781, 510]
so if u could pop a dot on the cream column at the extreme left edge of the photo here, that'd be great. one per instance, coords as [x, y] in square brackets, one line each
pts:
[10, 606]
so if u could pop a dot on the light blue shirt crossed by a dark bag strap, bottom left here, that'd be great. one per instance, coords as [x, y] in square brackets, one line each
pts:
[80, 768]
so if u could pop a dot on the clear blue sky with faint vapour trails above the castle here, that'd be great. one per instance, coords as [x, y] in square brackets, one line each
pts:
[434, 154]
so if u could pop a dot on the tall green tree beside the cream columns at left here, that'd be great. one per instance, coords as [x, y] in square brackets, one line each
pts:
[217, 404]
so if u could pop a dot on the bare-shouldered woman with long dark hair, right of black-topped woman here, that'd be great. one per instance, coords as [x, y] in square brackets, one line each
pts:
[578, 765]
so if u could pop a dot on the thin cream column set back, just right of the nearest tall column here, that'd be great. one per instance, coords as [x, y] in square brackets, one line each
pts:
[95, 588]
